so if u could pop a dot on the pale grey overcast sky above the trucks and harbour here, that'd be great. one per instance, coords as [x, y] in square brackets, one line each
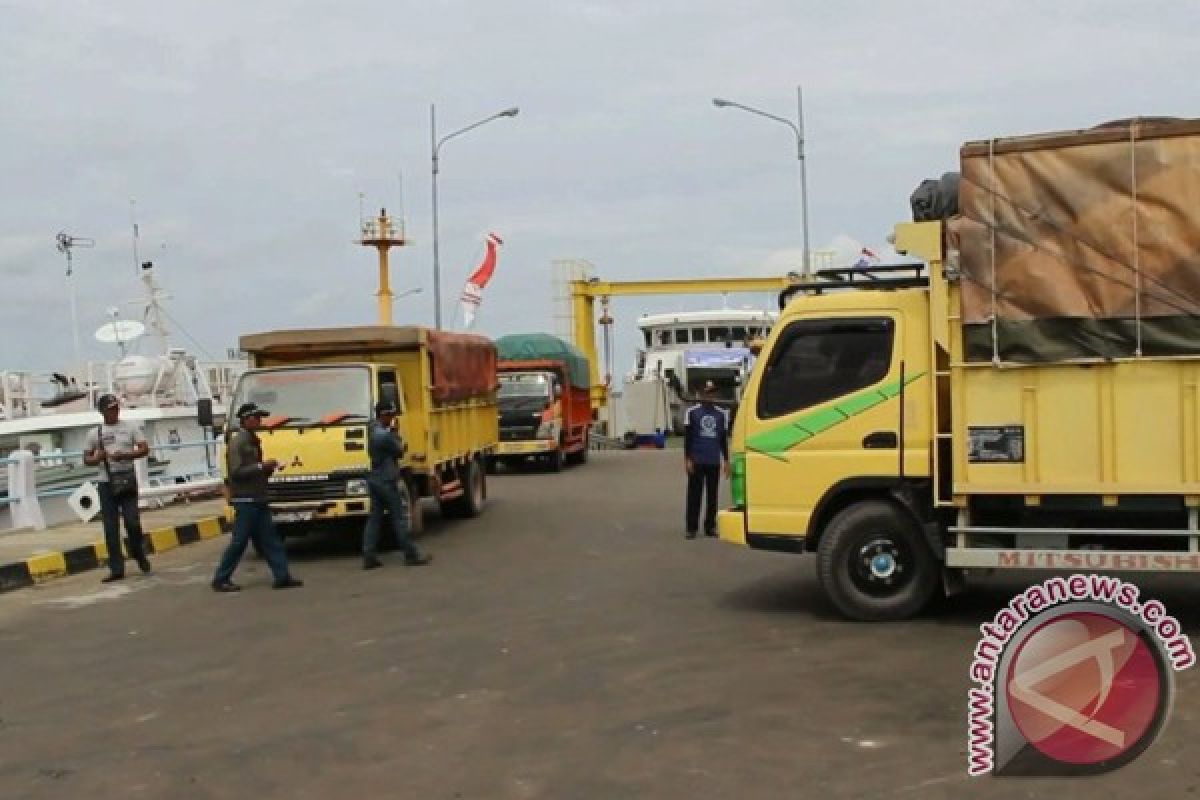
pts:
[247, 131]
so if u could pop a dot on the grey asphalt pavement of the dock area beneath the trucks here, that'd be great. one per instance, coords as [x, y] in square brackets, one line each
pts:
[569, 643]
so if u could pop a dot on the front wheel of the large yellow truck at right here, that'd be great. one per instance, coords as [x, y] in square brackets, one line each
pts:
[874, 564]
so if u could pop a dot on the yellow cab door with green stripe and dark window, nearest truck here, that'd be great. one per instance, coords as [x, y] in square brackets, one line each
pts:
[826, 410]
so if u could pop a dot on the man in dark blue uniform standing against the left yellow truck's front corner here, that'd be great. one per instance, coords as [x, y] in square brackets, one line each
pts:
[386, 447]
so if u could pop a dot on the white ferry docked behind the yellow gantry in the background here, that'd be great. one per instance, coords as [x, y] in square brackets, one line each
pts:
[682, 352]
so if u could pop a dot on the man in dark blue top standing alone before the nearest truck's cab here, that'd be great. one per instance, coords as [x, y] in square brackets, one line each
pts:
[706, 450]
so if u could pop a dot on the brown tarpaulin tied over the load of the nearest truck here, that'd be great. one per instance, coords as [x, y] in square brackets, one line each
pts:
[1096, 237]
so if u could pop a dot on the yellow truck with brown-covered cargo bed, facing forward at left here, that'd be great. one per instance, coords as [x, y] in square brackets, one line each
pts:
[321, 388]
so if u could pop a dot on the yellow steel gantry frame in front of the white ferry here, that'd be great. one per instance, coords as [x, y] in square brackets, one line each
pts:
[585, 294]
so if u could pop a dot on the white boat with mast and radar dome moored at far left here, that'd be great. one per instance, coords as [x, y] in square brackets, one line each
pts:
[51, 414]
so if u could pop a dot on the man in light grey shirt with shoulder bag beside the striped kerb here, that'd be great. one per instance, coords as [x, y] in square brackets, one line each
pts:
[113, 447]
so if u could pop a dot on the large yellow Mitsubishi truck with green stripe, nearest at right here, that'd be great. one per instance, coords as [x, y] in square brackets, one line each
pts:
[1025, 398]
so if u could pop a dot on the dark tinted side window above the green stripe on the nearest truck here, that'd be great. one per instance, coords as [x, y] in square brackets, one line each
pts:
[820, 360]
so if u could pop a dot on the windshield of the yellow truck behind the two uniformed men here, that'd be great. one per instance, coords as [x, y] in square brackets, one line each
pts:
[309, 395]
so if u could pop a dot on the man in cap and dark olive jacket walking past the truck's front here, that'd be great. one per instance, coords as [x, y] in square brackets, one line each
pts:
[248, 477]
